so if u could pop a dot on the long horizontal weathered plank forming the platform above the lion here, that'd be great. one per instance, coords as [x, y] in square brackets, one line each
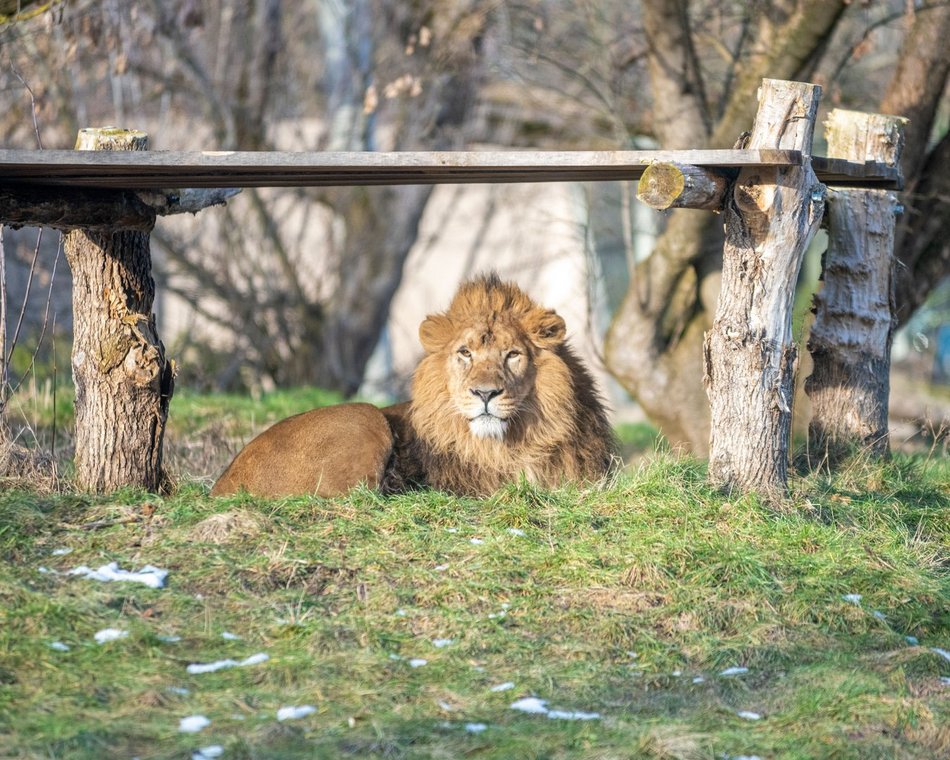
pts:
[164, 169]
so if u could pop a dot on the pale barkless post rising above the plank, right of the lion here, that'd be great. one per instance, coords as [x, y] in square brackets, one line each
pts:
[749, 352]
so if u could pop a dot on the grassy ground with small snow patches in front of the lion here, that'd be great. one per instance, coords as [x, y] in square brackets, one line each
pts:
[628, 602]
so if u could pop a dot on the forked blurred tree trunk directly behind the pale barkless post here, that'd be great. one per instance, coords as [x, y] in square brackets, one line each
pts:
[655, 344]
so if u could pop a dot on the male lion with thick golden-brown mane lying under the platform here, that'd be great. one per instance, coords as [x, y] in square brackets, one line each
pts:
[499, 395]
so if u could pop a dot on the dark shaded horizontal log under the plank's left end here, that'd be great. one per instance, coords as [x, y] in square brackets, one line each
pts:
[98, 209]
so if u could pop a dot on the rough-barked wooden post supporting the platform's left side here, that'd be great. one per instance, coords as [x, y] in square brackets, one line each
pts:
[123, 379]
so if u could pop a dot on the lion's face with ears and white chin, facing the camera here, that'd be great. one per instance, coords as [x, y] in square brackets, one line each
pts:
[488, 359]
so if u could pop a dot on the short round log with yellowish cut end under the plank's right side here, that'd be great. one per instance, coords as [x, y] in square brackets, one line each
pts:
[672, 185]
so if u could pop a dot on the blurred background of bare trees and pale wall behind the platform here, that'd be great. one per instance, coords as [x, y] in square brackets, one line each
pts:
[325, 288]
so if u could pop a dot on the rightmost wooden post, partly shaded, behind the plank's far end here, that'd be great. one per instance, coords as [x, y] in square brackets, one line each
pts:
[850, 339]
